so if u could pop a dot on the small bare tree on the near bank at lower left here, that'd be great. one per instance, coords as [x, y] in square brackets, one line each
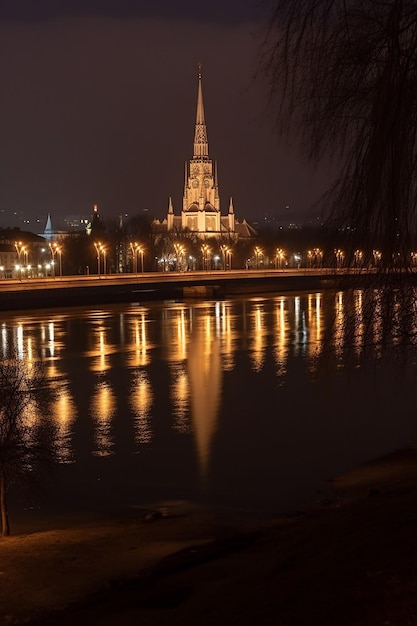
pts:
[27, 434]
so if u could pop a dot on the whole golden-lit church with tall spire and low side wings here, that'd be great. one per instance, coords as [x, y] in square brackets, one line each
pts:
[201, 213]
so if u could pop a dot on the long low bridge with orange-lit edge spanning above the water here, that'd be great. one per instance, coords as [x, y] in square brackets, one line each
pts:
[116, 288]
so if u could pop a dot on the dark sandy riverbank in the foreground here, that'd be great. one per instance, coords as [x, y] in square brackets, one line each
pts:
[350, 561]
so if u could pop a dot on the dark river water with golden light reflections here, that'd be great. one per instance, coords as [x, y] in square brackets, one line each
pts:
[248, 406]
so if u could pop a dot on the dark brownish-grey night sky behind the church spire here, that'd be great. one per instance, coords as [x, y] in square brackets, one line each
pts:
[98, 106]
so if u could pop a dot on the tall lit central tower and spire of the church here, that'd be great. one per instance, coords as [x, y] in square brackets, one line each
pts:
[201, 202]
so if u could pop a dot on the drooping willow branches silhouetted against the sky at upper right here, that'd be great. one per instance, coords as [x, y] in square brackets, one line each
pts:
[344, 76]
